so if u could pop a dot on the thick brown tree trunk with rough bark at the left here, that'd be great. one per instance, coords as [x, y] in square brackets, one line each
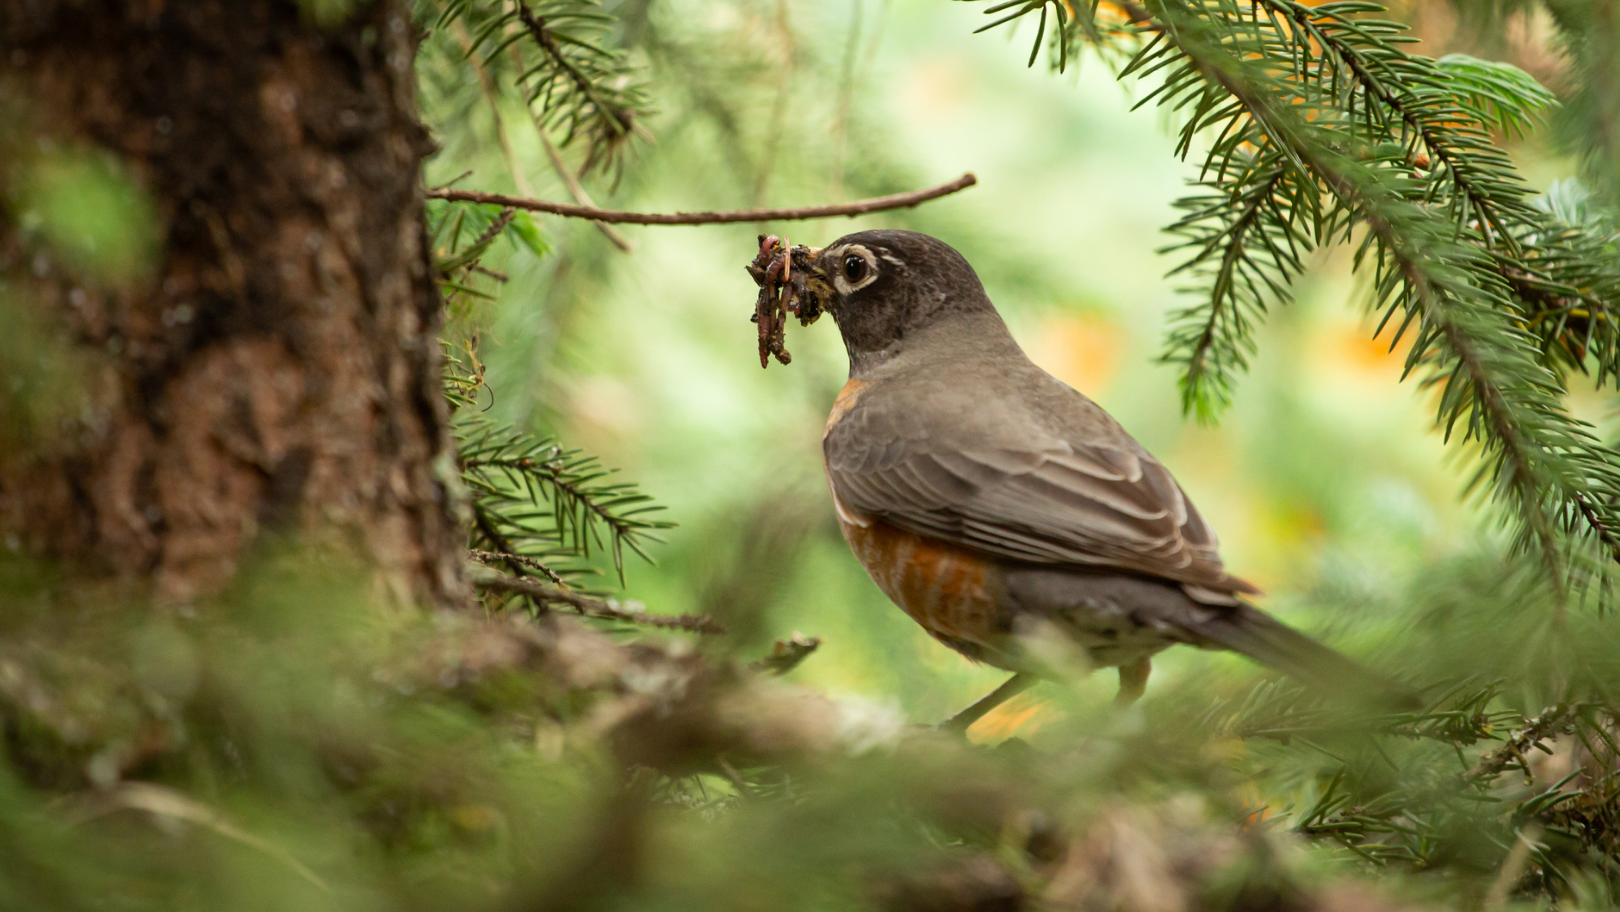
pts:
[279, 370]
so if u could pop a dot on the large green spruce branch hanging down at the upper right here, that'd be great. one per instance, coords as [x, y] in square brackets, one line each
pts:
[1326, 130]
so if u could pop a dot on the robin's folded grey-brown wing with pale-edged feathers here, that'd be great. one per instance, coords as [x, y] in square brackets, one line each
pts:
[1070, 488]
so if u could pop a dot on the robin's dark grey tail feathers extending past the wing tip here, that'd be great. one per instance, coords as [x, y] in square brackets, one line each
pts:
[1271, 642]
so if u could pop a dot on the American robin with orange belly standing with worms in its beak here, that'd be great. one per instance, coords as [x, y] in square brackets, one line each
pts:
[994, 503]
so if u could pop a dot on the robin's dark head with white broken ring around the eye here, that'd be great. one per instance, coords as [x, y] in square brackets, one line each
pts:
[885, 288]
